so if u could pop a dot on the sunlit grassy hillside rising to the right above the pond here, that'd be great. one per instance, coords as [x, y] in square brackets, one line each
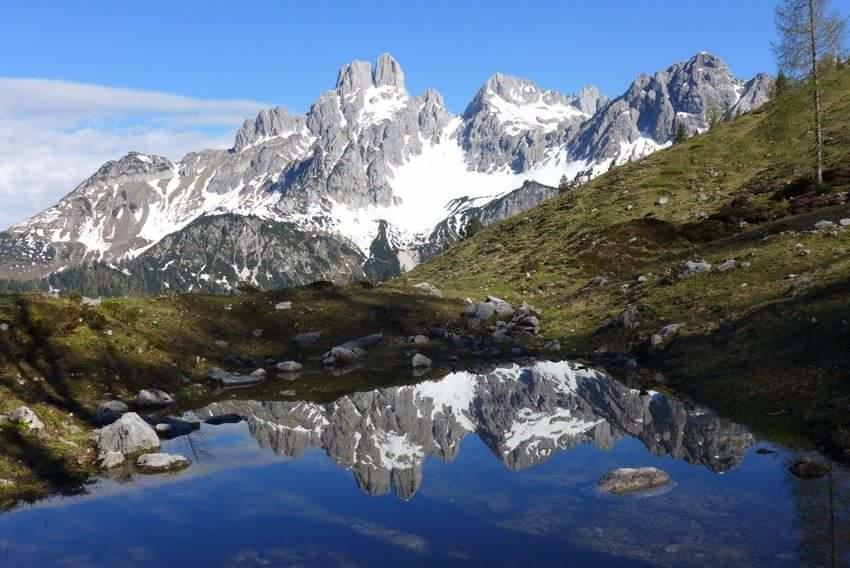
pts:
[768, 347]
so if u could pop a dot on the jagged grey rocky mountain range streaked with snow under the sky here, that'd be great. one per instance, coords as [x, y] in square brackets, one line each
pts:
[368, 167]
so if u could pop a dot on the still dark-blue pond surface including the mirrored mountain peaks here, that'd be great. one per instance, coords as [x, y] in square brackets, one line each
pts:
[496, 469]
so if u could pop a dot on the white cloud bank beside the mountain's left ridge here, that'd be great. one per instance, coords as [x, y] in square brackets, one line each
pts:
[54, 134]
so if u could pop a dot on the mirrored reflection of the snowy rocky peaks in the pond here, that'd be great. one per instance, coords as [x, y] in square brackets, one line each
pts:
[523, 414]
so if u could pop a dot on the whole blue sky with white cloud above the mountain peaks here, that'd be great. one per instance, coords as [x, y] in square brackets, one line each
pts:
[228, 59]
